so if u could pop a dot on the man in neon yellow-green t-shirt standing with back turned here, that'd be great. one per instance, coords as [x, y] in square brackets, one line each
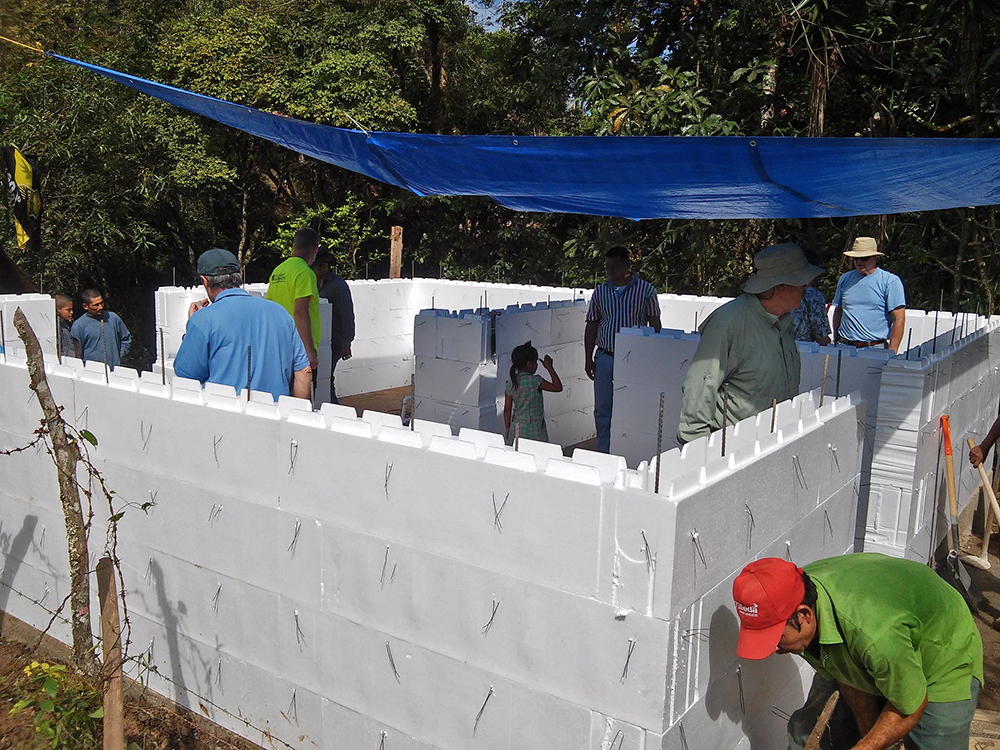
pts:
[293, 286]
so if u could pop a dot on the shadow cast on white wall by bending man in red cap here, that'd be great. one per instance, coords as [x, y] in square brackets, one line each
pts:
[744, 690]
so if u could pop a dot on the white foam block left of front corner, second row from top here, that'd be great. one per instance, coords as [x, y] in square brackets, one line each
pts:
[423, 598]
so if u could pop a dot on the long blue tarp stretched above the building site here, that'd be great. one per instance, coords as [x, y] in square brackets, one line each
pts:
[638, 177]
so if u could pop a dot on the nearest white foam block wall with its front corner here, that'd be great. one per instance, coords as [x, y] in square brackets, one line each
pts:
[412, 547]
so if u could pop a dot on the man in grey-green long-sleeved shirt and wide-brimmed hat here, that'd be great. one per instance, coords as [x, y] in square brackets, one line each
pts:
[747, 355]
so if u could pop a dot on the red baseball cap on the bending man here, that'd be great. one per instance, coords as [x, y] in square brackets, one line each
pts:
[766, 594]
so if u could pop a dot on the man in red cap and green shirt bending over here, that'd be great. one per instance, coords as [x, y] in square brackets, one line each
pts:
[897, 640]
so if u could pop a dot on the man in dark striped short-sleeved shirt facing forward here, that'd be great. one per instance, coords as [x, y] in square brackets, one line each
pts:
[623, 301]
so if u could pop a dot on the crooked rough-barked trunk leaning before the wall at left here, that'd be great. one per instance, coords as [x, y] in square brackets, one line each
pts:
[67, 454]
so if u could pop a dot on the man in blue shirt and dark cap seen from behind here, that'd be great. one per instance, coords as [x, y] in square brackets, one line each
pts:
[233, 338]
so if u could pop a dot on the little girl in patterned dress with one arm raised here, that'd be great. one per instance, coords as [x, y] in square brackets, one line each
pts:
[523, 410]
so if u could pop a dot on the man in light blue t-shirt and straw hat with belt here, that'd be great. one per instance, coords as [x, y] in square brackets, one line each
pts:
[870, 303]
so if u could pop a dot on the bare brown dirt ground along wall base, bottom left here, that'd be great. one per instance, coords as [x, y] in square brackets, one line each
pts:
[151, 722]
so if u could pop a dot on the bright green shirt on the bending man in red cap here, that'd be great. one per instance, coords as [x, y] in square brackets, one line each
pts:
[894, 628]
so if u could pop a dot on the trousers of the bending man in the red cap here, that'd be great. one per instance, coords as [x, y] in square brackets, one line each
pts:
[943, 726]
